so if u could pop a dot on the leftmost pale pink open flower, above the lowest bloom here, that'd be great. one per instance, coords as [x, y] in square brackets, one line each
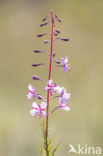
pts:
[32, 92]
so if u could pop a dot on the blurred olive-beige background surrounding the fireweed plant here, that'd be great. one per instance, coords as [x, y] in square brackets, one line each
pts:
[20, 133]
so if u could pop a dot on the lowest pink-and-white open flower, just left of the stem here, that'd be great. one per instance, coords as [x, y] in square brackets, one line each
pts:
[38, 109]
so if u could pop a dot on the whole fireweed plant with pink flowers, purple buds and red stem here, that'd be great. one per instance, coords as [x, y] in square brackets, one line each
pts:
[41, 107]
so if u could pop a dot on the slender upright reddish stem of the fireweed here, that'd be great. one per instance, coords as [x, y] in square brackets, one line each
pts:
[49, 77]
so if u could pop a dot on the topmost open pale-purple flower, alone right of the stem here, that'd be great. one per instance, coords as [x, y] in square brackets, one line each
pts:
[65, 66]
